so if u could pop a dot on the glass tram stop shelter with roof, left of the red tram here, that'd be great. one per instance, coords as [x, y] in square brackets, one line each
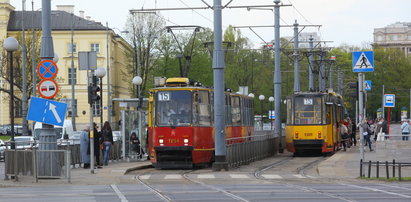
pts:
[133, 120]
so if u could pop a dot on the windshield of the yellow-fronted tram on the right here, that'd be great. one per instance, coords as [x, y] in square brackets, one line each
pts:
[308, 111]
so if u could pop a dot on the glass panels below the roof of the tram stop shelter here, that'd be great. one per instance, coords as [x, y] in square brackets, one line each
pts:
[134, 123]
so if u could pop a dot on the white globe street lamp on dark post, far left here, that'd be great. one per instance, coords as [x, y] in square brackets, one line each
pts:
[11, 44]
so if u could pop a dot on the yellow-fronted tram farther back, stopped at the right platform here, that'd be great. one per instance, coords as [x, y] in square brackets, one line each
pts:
[312, 121]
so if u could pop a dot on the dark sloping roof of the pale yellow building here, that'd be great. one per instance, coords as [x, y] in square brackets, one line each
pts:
[60, 21]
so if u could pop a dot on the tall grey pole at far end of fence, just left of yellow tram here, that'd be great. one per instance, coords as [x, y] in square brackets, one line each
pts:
[277, 73]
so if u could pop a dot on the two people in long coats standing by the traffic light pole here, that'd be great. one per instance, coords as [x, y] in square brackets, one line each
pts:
[103, 140]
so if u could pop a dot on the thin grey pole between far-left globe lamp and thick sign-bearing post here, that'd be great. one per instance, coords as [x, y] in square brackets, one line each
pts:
[24, 53]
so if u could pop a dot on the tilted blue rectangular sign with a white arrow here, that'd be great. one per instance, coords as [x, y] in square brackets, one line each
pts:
[47, 111]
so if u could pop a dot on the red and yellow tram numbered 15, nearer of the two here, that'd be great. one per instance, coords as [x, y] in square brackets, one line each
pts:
[181, 127]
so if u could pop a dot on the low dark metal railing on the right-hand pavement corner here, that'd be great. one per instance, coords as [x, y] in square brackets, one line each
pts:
[387, 165]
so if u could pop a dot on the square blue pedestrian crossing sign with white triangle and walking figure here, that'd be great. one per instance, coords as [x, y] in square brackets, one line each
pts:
[363, 61]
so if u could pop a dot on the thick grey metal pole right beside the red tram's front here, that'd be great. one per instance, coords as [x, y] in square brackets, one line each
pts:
[218, 71]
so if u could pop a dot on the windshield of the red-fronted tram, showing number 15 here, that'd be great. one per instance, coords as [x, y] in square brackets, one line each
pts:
[173, 108]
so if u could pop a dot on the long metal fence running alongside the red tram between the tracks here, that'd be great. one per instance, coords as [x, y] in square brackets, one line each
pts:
[242, 151]
